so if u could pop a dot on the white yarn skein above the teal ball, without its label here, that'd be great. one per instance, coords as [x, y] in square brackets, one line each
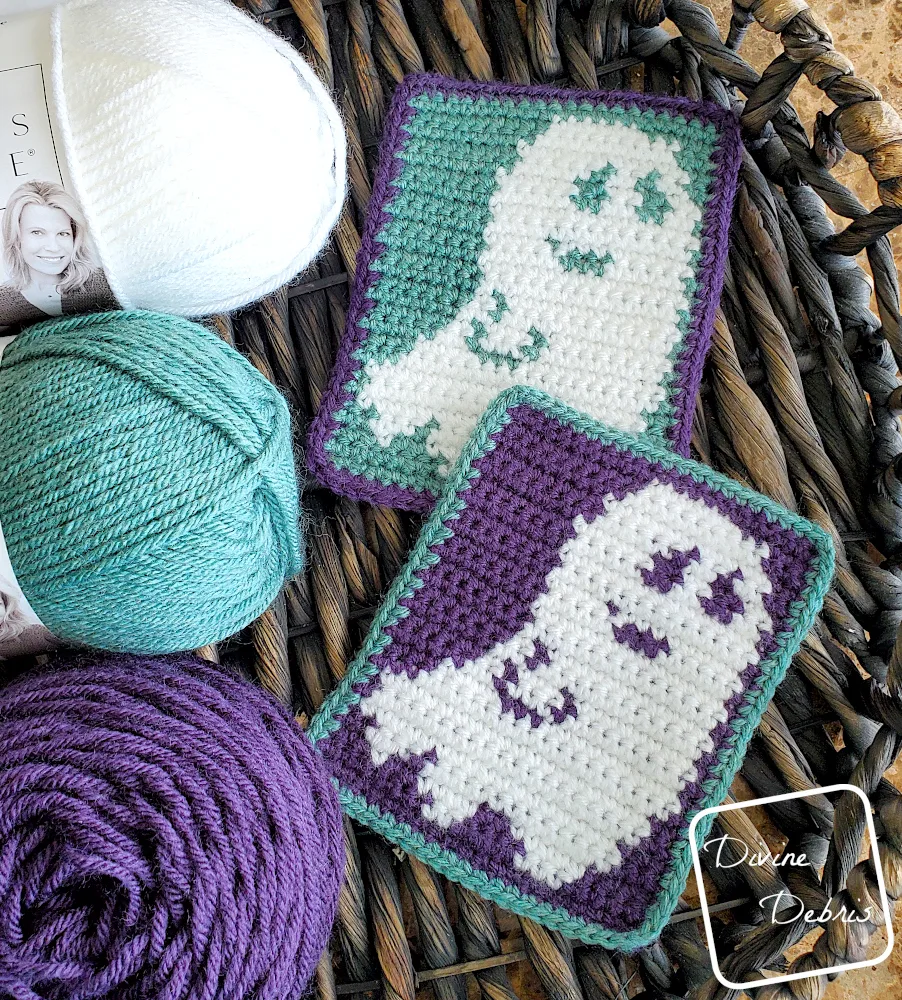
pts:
[208, 158]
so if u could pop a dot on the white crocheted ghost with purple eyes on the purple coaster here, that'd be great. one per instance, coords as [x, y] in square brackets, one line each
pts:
[591, 719]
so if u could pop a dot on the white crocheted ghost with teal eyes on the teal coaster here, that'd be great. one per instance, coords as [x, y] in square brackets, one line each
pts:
[589, 238]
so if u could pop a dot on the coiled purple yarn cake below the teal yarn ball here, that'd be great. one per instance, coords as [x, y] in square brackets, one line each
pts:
[166, 832]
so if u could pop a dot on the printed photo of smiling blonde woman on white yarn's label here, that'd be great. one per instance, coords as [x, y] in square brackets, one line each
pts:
[50, 265]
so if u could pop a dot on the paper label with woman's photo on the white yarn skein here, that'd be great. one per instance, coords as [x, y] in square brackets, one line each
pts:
[49, 264]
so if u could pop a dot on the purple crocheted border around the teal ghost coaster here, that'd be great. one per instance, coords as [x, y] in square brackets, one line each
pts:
[714, 240]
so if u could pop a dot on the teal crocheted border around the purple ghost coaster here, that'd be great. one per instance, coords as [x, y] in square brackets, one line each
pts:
[435, 532]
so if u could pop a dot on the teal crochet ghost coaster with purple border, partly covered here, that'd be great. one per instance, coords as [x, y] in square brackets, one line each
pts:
[526, 236]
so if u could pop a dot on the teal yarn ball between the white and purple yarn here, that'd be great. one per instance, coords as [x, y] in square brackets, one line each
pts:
[148, 494]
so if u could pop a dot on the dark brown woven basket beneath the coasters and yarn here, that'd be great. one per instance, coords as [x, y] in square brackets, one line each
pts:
[800, 401]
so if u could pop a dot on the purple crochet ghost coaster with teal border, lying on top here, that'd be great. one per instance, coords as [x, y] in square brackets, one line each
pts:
[570, 666]
